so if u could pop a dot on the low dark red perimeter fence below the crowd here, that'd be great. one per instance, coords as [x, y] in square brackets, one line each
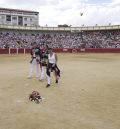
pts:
[64, 50]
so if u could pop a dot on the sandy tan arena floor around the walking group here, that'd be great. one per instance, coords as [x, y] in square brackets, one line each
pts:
[87, 97]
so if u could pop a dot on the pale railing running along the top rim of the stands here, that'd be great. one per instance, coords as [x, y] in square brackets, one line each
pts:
[72, 29]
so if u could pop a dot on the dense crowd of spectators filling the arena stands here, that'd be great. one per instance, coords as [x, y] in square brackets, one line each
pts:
[87, 39]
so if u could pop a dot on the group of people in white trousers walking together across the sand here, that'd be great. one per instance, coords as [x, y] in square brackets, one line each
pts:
[45, 61]
